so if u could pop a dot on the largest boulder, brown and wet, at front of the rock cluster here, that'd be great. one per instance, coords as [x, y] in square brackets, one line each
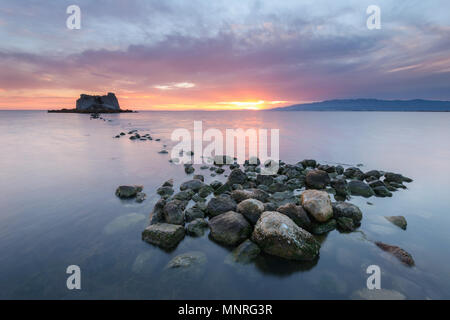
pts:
[278, 235]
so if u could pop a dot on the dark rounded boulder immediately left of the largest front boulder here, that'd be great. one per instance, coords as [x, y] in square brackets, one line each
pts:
[230, 228]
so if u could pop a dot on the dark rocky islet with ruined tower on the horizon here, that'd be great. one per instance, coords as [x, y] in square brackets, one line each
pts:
[95, 104]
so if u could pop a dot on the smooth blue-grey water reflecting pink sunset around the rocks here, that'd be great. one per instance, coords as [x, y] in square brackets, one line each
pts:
[58, 174]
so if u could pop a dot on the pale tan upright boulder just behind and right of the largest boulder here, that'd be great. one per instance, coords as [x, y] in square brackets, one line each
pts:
[317, 204]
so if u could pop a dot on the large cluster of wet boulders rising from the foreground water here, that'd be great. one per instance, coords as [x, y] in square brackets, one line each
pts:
[274, 213]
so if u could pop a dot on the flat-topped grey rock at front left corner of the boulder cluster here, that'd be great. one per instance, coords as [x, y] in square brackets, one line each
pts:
[164, 235]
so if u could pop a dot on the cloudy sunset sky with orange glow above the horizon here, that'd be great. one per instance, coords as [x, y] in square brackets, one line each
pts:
[221, 54]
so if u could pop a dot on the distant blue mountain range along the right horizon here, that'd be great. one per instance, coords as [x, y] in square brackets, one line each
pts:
[371, 105]
